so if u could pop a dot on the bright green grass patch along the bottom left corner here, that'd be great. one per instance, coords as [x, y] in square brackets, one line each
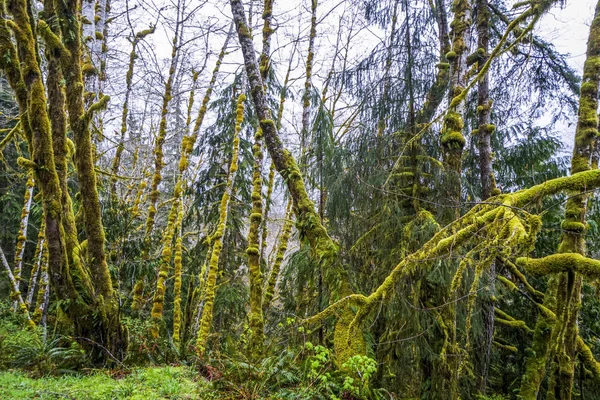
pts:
[143, 384]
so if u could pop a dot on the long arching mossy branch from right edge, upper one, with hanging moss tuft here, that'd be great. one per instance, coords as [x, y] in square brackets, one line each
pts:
[485, 222]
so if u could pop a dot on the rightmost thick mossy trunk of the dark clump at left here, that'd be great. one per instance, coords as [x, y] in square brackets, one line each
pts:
[108, 332]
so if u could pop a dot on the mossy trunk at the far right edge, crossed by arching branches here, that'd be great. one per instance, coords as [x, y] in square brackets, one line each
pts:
[565, 288]
